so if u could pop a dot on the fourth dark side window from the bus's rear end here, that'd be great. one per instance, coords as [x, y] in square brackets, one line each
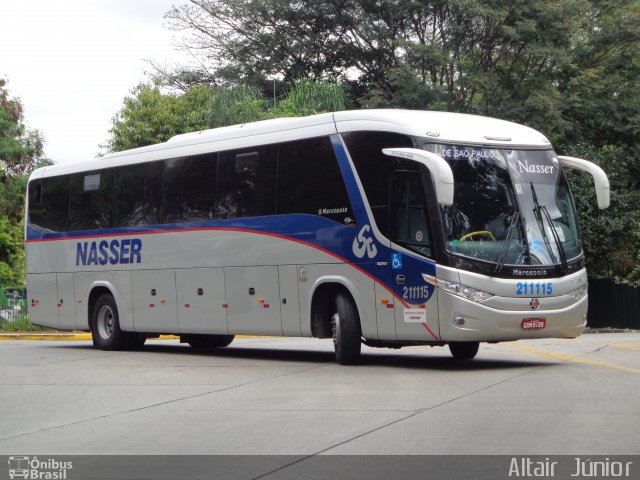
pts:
[189, 189]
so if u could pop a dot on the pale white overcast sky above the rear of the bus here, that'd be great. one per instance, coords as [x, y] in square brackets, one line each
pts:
[72, 62]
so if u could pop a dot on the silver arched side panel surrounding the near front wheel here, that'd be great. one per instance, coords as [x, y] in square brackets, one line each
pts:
[360, 285]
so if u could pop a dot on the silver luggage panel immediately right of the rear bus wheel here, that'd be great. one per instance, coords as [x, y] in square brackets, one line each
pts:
[154, 301]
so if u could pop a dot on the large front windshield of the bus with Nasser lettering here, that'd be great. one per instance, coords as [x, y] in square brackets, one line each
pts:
[511, 207]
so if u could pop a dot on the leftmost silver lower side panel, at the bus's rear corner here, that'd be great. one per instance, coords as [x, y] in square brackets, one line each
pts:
[42, 294]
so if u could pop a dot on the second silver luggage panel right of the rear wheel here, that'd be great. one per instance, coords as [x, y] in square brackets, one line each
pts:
[201, 299]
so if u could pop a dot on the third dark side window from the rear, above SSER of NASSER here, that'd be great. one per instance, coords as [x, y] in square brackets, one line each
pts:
[138, 194]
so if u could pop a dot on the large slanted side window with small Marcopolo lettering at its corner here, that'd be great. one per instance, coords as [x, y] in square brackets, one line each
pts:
[310, 181]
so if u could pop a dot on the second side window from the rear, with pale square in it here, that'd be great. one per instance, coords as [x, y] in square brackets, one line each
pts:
[91, 202]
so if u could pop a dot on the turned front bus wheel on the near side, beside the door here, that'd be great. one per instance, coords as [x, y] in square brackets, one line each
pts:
[345, 326]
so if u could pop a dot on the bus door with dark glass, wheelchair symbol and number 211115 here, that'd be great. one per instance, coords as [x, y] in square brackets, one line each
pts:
[412, 274]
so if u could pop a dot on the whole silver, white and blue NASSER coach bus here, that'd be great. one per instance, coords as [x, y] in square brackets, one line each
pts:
[387, 228]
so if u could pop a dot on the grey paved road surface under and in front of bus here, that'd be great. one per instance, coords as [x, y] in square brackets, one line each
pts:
[287, 396]
